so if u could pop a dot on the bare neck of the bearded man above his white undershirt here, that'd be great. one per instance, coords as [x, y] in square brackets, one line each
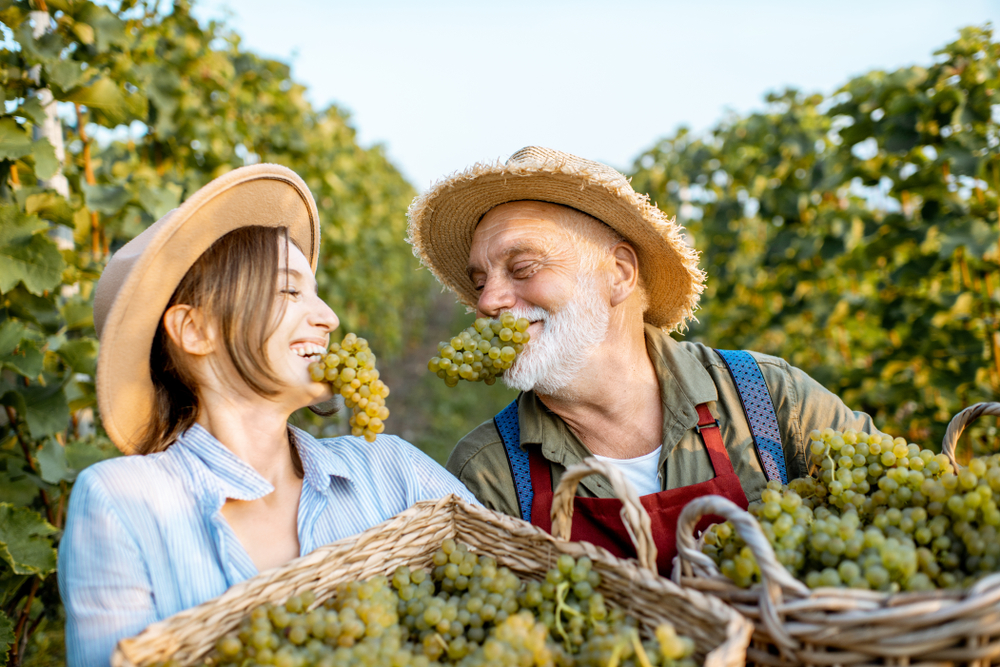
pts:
[614, 404]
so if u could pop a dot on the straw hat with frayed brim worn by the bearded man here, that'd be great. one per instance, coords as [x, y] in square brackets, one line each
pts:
[443, 219]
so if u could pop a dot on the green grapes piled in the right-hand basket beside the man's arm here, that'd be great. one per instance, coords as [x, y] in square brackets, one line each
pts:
[881, 514]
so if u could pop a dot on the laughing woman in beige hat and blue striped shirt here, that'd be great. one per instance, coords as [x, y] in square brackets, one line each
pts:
[208, 321]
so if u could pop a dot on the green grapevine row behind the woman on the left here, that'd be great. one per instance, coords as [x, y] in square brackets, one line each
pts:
[147, 105]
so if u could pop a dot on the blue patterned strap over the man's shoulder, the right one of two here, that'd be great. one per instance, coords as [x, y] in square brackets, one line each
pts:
[759, 410]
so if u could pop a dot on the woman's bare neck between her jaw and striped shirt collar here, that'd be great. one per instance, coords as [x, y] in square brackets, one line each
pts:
[253, 428]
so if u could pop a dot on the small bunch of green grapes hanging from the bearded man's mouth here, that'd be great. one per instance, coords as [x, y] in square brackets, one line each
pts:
[481, 352]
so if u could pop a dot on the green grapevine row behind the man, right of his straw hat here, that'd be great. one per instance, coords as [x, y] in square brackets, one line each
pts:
[856, 235]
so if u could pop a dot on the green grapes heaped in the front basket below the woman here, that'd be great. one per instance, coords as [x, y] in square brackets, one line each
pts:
[465, 611]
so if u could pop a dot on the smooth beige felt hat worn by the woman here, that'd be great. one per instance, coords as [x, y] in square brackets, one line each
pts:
[141, 277]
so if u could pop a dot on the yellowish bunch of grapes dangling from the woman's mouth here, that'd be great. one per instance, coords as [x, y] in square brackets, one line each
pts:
[350, 368]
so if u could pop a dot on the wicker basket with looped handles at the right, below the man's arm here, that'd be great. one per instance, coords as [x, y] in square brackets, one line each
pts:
[835, 626]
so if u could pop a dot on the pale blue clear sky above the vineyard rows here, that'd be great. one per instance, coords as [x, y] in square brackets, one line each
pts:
[444, 84]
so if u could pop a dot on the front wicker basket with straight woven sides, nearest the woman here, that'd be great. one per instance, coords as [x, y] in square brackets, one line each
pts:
[720, 634]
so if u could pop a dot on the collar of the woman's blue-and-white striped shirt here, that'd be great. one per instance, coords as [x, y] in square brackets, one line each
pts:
[235, 478]
